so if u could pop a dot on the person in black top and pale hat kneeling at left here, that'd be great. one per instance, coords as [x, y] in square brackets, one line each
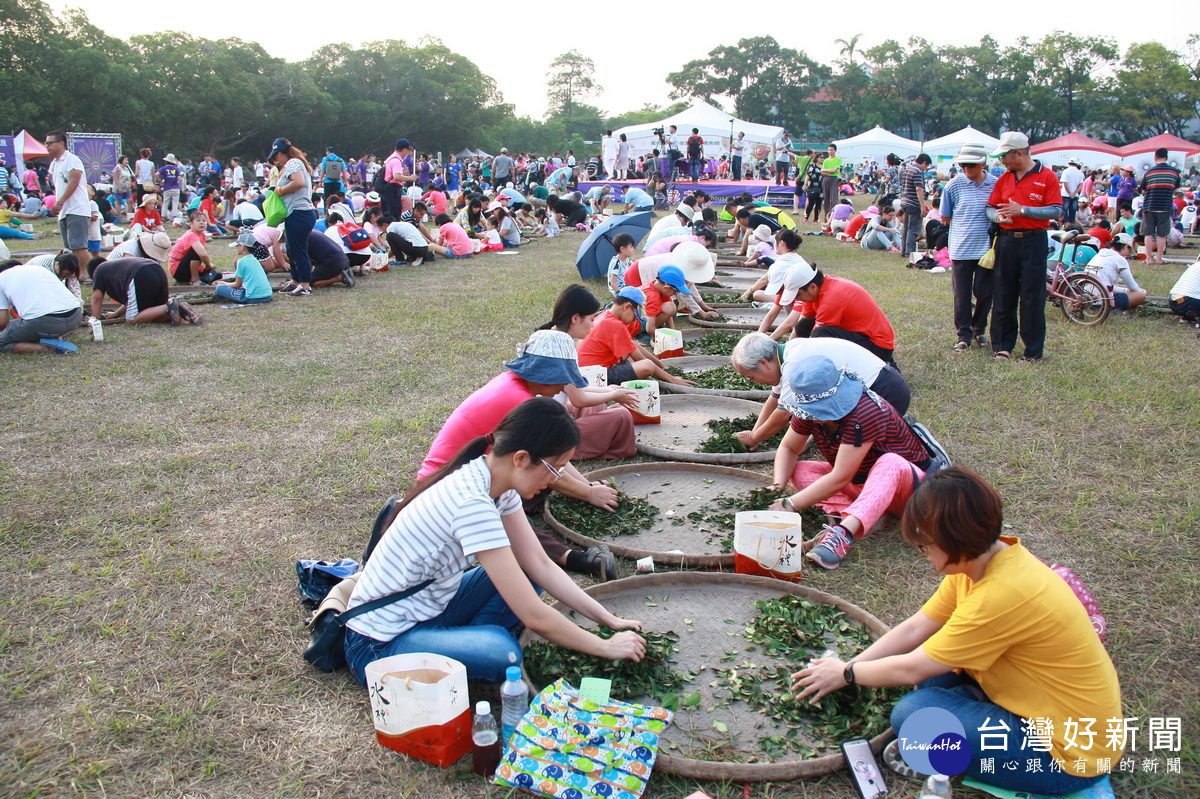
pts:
[140, 289]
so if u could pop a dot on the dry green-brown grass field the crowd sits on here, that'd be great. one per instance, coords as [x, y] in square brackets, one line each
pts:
[159, 488]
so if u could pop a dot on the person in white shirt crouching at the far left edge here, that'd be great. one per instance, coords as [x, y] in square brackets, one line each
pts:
[49, 311]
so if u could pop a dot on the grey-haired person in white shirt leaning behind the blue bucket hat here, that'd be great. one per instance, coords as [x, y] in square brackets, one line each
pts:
[761, 359]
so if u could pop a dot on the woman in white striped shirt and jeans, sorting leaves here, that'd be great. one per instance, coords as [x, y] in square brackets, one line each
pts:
[463, 531]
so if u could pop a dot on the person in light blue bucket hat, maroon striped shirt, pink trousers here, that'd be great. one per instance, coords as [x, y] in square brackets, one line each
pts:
[873, 460]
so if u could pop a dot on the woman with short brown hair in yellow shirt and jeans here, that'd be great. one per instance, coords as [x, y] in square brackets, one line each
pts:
[1003, 641]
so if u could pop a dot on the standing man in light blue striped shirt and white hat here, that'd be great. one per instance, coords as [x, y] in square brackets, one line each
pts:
[965, 209]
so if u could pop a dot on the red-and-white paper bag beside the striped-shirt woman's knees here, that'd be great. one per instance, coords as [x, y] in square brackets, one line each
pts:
[421, 707]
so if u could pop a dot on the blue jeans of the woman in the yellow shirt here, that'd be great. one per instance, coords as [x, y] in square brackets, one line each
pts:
[962, 696]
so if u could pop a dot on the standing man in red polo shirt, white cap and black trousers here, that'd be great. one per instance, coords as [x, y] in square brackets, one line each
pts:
[1024, 202]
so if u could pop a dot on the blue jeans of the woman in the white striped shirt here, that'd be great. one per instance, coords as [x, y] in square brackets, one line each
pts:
[477, 629]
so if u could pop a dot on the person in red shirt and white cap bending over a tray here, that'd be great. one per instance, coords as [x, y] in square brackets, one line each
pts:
[836, 308]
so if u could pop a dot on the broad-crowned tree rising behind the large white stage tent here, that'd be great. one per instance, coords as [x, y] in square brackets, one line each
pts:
[766, 82]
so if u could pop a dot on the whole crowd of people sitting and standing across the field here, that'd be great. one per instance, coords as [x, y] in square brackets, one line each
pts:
[466, 537]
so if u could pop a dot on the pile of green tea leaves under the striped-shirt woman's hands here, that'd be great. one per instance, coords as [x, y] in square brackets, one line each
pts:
[652, 676]
